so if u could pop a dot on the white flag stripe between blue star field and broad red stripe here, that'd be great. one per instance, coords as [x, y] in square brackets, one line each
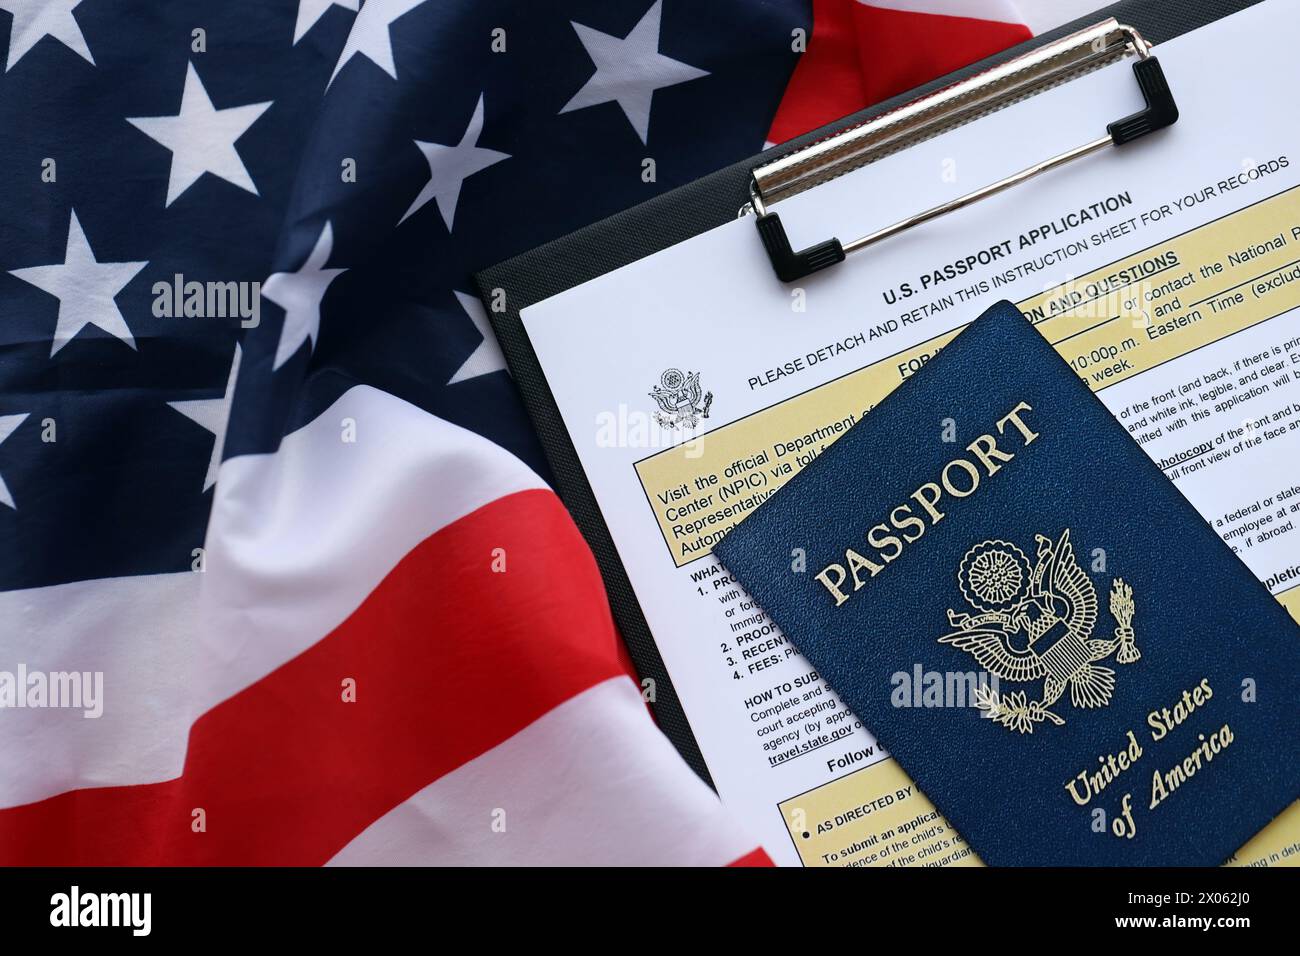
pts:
[298, 539]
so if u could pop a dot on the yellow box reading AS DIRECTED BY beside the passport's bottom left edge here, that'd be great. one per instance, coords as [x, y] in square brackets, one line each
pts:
[873, 817]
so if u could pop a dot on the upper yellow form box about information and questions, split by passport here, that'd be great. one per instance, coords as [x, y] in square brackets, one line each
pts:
[1112, 325]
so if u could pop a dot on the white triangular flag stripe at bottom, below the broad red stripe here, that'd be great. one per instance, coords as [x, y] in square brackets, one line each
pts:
[593, 782]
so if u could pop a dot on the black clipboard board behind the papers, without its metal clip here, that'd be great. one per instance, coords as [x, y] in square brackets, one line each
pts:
[674, 218]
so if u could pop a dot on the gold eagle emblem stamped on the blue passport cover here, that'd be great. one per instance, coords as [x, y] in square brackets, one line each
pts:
[1037, 621]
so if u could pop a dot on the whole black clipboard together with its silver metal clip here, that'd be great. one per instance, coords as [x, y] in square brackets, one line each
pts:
[756, 187]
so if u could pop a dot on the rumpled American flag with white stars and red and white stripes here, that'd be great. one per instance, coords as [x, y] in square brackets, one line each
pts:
[262, 465]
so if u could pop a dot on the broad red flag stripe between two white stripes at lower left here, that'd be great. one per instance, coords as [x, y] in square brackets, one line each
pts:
[447, 664]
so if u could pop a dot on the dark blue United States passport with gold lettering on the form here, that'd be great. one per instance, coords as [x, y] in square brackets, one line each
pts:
[1104, 682]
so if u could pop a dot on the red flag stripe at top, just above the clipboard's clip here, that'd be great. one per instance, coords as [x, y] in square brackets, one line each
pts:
[860, 55]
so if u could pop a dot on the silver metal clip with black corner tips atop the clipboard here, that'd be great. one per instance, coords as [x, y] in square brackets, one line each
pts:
[1029, 75]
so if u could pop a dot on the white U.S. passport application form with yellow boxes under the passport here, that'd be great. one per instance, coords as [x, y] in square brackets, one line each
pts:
[1168, 274]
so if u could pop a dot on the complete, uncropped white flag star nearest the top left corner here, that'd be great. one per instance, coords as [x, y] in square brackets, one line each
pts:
[202, 139]
